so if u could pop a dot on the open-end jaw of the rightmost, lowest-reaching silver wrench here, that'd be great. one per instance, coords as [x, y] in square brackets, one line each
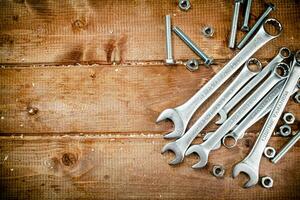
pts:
[245, 168]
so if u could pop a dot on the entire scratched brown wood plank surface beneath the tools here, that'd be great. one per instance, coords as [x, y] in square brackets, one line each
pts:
[82, 83]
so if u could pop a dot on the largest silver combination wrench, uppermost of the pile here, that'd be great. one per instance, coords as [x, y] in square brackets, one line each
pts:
[183, 113]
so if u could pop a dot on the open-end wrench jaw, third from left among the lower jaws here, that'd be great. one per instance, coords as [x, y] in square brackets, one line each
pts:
[202, 152]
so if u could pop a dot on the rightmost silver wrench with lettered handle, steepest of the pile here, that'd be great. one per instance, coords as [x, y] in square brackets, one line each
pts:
[250, 165]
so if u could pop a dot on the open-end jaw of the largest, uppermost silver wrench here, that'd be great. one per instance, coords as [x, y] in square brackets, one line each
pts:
[174, 116]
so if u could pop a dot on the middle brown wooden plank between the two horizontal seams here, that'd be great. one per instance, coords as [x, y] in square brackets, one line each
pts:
[98, 99]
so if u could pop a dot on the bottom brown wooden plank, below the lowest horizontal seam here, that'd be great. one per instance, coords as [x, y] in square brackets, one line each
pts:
[131, 168]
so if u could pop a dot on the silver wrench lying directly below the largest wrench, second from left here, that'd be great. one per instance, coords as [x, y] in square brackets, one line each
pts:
[180, 145]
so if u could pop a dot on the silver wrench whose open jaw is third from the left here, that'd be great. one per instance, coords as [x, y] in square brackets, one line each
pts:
[204, 149]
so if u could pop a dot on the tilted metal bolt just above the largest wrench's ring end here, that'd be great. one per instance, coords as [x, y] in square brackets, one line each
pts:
[270, 8]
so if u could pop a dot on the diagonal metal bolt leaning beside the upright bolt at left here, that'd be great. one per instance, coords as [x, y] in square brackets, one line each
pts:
[192, 45]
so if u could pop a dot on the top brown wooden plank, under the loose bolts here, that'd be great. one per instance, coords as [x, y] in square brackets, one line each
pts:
[123, 31]
